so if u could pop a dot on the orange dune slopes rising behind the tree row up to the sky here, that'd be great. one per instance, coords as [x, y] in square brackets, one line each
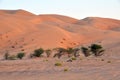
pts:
[27, 31]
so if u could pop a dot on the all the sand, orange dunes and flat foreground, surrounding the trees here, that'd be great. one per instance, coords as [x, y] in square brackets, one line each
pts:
[20, 30]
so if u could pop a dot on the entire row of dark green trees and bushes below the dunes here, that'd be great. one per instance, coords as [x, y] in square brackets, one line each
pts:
[95, 49]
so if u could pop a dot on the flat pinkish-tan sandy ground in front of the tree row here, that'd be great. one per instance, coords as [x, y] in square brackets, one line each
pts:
[44, 69]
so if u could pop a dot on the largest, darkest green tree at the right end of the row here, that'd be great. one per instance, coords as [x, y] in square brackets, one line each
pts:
[96, 49]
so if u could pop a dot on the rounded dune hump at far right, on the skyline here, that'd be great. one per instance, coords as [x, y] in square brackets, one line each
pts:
[100, 23]
